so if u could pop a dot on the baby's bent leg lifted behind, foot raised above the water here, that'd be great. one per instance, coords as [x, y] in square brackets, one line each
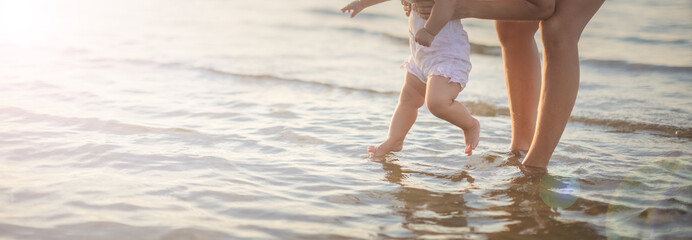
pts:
[440, 98]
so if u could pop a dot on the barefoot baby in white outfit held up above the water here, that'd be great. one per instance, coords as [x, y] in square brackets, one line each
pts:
[436, 72]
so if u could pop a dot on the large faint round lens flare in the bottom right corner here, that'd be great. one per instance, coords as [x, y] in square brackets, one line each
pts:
[639, 209]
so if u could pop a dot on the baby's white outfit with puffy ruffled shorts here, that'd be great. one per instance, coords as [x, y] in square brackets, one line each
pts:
[448, 56]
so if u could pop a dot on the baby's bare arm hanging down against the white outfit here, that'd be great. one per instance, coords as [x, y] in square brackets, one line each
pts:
[442, 12]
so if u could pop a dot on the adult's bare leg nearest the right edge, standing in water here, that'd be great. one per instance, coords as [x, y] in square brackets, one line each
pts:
[560, 35]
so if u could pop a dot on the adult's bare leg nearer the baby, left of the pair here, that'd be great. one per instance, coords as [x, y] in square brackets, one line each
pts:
[522, 77]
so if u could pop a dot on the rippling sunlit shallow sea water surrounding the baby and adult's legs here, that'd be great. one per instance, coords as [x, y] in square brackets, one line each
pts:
[196, 120]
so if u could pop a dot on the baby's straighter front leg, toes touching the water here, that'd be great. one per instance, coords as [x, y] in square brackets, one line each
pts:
[411, 98]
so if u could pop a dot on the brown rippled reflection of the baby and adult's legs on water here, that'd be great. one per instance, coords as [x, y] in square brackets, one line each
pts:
[525, 214]
